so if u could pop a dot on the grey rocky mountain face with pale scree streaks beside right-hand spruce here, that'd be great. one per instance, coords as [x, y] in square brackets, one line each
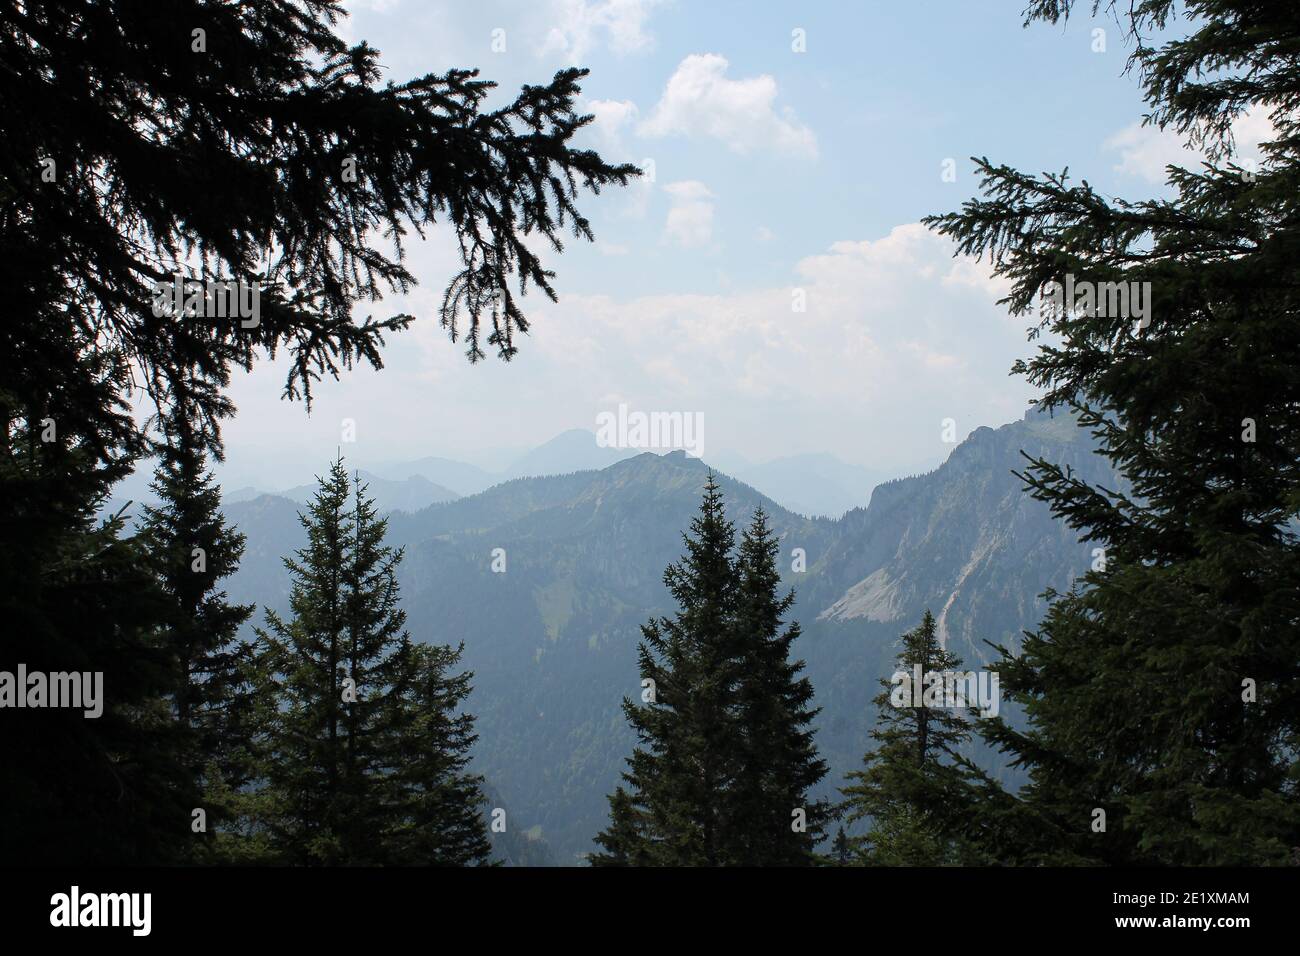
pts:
[965, 540]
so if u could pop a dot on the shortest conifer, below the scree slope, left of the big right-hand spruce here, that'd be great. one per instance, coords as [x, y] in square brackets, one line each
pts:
[916, 782]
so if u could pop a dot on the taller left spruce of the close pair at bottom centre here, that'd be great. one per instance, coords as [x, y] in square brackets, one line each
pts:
[675, 810]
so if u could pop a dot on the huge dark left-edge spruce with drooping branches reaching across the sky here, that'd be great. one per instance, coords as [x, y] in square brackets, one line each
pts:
[248, 144]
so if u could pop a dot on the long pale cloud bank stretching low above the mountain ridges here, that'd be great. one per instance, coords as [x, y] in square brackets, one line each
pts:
[898, 336]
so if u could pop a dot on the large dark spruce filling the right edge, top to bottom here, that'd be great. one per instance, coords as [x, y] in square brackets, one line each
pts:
[1165, 690]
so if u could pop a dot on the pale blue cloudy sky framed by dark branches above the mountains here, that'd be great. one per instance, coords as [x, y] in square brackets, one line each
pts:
[794, 150]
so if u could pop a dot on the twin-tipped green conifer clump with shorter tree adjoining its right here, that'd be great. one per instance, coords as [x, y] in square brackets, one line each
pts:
[365, 751]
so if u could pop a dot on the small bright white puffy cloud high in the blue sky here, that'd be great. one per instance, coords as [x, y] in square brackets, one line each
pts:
[701, 101]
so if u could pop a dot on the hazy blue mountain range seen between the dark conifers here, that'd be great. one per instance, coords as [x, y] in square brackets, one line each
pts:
[552, 639]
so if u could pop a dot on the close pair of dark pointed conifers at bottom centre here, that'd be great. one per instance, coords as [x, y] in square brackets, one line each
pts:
[726, 756]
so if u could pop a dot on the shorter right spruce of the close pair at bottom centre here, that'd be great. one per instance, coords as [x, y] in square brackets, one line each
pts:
[781, 827]
